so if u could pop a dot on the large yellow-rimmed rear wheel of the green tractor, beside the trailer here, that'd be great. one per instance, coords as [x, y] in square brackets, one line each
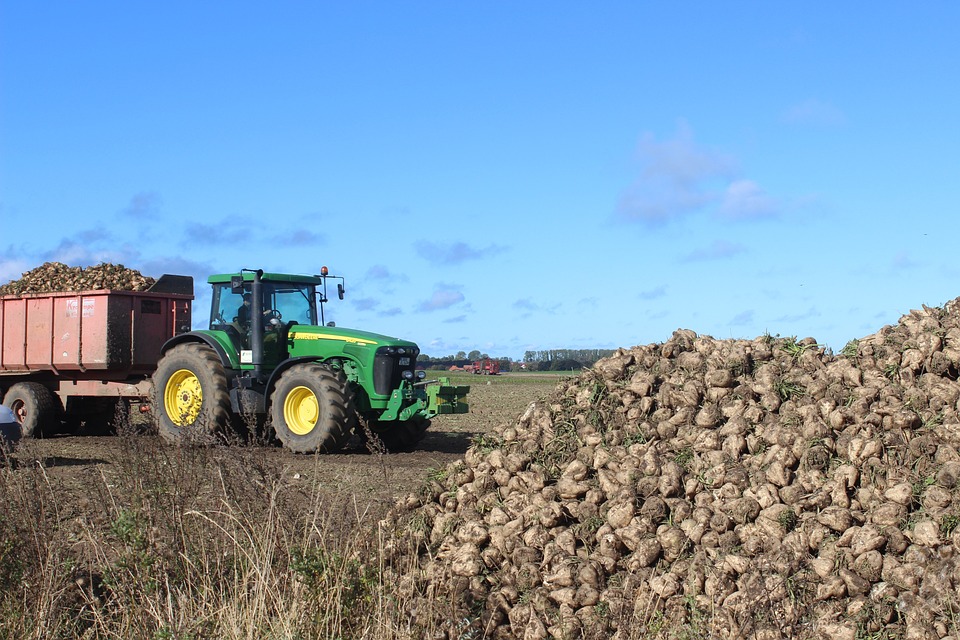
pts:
[191, 399]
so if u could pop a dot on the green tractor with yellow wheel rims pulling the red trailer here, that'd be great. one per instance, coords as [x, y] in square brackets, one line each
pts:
[269, 358]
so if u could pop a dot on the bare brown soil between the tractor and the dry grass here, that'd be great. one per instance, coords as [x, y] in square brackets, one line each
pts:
[78, 467]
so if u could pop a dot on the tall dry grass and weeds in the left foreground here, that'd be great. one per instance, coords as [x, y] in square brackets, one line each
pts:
[186, 542]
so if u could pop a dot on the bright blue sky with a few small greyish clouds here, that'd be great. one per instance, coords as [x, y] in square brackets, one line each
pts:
[500, 176]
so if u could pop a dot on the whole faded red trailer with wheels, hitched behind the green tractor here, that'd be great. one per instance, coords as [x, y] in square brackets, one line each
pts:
[72, 355]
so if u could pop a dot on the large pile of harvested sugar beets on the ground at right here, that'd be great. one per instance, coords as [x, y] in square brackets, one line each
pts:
[707, 488]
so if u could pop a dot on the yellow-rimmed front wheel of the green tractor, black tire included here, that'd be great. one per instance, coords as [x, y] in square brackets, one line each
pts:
[312, 409]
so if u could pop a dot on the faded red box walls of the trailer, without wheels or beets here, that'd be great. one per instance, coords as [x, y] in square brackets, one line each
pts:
[118, 333]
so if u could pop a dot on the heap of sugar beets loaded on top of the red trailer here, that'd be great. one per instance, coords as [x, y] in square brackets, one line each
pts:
[56, 276]
